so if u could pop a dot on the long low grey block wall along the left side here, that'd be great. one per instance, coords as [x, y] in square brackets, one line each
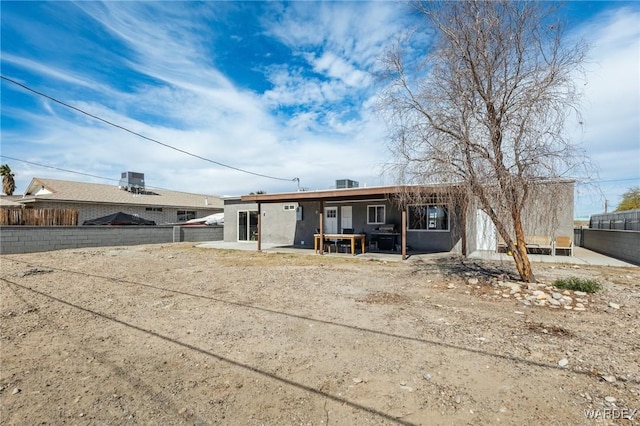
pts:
[31, 239]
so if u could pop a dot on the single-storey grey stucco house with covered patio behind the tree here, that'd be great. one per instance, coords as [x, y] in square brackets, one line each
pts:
[437, 225]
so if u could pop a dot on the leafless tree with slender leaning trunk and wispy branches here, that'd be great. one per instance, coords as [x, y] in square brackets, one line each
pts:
[480, 98]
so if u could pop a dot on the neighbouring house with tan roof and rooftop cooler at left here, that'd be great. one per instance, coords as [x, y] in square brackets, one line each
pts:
[94, 200]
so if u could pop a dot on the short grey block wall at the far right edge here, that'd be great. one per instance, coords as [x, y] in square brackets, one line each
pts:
[623, 245]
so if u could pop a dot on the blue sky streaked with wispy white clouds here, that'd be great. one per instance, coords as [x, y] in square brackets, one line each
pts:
[278, 89]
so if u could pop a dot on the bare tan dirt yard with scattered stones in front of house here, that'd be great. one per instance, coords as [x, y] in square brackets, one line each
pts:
[173, 334]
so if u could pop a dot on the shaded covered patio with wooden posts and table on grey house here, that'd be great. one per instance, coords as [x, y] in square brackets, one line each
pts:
[377, 219]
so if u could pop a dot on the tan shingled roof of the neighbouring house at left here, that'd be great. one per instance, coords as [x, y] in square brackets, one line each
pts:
[42, 189]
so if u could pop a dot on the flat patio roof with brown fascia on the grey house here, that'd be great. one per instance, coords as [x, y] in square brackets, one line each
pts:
[347, 193]
